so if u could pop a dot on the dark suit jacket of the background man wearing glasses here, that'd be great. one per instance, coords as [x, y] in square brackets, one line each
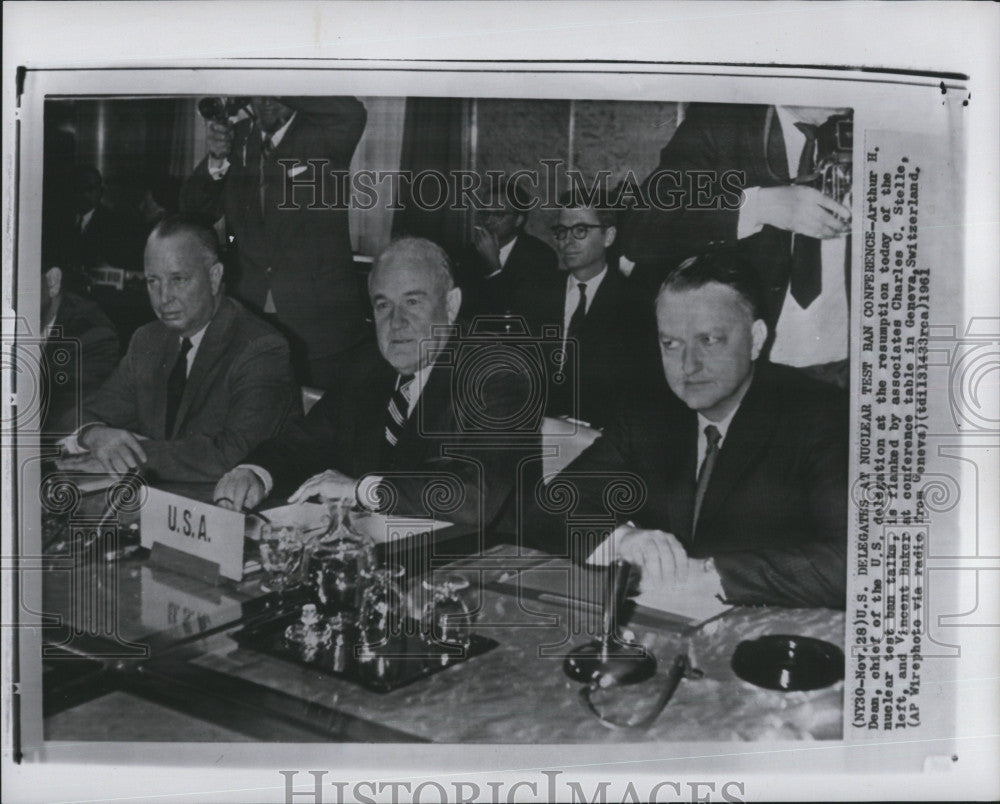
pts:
[616, 351]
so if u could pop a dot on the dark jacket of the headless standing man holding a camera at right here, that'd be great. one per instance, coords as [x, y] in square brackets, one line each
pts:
[716, 138]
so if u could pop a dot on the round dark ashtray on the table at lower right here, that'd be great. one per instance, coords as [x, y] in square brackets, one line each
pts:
[788, 663]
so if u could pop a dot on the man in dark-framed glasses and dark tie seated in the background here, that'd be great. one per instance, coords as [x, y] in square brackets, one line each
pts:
[597, 309]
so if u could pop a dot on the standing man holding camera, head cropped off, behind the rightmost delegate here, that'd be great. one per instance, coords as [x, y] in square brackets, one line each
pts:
[744, 176]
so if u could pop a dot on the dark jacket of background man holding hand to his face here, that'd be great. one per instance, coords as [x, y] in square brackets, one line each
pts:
[530, 264]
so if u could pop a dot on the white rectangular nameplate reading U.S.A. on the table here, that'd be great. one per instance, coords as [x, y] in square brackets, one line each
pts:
[198, 529]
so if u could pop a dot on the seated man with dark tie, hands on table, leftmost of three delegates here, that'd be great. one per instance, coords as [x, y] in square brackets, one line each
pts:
[199, 387]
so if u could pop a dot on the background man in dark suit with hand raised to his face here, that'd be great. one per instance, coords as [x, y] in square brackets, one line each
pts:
[503, 266]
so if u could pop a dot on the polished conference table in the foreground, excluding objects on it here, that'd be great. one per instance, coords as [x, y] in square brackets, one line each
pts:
[136, 651]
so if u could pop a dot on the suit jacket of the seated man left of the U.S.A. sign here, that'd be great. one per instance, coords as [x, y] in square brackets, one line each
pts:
[239, 392]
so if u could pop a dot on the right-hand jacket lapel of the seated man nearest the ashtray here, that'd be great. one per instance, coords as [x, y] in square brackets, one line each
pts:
[749, 433]
